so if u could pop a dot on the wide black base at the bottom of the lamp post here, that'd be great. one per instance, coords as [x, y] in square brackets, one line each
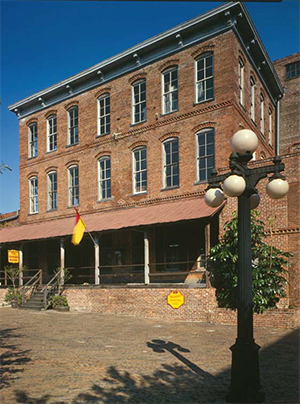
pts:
[245, 382]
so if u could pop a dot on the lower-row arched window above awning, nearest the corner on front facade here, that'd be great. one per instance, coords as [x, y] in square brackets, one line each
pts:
[205, 153]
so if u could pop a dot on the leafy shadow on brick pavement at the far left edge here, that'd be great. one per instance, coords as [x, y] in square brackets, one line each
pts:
[12, 358]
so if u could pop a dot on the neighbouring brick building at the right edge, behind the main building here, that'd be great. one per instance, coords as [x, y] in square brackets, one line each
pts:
[288, 70]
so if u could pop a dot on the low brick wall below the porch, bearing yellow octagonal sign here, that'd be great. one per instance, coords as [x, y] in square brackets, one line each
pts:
[200, 305]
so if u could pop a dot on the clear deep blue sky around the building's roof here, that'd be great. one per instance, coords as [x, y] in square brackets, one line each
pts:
[43, 42]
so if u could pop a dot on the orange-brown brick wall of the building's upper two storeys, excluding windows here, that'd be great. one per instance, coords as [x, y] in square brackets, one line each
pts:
[224, 113]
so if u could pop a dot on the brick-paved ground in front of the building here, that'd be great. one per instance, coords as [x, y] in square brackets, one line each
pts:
[75, 358]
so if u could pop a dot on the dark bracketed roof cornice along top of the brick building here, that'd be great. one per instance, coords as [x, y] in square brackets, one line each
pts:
[232, 15]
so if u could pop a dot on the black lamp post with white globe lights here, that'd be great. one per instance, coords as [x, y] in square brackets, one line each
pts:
[240, 182]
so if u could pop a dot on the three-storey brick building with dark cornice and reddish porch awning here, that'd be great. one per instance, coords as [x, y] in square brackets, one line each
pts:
[130, 143]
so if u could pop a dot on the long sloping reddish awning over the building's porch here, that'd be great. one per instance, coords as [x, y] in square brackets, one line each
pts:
[167, 212]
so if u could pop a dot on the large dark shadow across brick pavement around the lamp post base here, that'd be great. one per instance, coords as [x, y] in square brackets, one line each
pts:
[188, 383]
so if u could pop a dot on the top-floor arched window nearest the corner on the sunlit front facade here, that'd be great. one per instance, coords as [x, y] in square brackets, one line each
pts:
[204, 69]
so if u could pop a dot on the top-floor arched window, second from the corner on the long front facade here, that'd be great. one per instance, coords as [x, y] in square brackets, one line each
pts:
[170, 90]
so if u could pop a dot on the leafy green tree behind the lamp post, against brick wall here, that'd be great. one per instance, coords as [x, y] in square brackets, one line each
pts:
[268, 267]
